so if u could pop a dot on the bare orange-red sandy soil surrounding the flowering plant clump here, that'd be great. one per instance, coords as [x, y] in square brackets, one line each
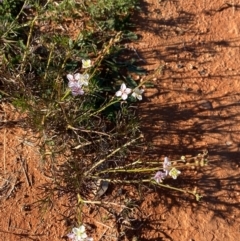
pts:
[194, 105]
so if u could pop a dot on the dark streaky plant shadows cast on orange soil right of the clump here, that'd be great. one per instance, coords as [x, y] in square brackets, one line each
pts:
[181, 116]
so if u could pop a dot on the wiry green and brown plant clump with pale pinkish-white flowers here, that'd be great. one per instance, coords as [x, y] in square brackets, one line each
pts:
[66, 65]
